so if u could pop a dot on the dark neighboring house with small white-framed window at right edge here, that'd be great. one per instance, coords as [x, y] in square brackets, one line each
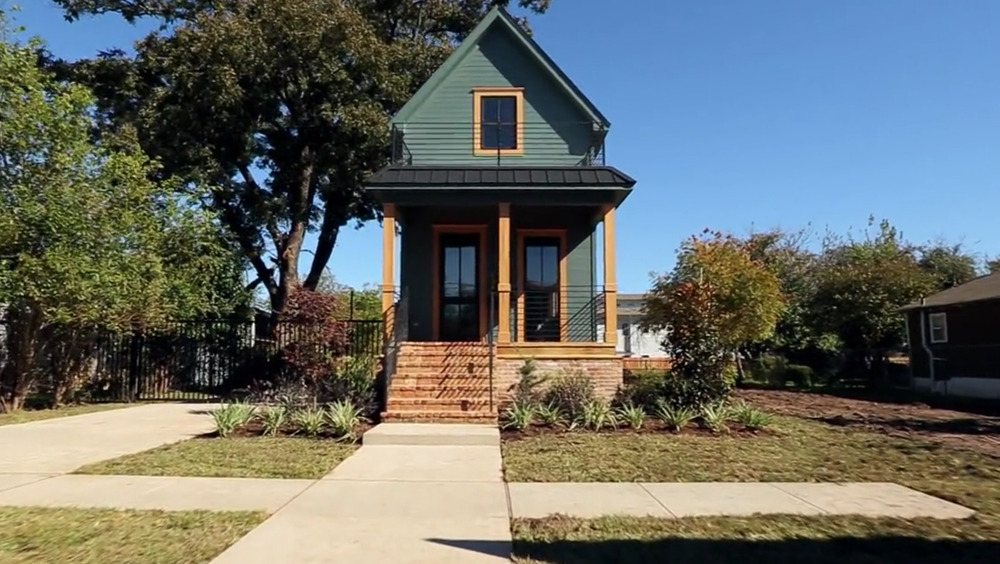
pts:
[954, 339]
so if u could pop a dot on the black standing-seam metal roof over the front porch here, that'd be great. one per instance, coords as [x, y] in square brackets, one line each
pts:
[499, 176]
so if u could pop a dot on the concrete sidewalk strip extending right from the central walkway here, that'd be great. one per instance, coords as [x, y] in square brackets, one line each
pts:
[585, 500]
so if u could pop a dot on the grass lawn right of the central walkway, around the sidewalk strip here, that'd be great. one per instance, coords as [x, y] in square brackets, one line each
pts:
[799, 450]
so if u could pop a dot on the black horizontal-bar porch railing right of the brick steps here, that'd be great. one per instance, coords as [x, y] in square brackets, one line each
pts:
[557, 314]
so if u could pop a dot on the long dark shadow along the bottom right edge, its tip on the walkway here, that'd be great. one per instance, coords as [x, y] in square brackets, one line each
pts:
[878, 550]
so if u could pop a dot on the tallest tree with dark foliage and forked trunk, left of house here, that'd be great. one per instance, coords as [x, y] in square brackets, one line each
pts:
[280, 106]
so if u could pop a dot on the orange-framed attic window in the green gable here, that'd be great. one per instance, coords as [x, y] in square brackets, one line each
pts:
[498, 118]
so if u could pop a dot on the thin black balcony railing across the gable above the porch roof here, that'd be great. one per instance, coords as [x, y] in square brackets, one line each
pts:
[501, 144]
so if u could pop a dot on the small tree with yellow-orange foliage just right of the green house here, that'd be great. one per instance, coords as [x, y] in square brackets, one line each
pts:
[717, 299]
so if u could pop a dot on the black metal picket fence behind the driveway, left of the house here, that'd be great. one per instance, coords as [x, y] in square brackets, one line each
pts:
[192, 360]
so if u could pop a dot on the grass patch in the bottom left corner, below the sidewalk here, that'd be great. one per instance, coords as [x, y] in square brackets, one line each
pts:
[102, 536]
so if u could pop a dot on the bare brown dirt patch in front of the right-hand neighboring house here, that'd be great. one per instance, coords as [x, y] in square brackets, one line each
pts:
[977, 432]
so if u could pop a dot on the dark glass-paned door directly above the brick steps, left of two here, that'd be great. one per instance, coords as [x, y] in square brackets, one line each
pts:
[460, 286]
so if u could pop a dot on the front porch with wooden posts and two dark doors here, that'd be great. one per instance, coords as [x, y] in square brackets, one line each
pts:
[522, 278]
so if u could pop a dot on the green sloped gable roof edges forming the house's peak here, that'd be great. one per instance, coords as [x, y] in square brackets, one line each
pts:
[499, 17]
